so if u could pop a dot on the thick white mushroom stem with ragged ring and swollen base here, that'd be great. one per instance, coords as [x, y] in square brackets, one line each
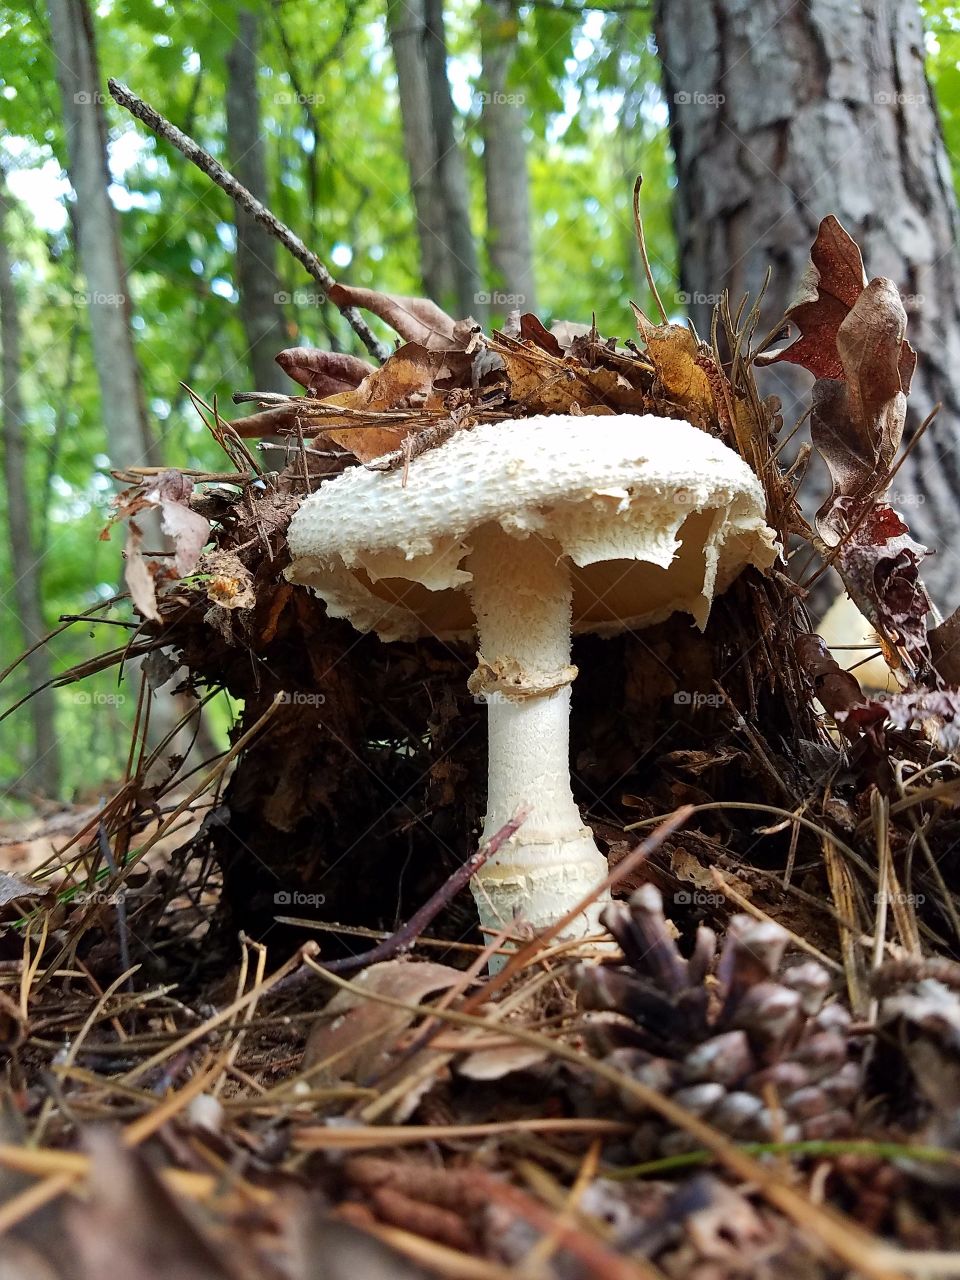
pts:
[522, 596]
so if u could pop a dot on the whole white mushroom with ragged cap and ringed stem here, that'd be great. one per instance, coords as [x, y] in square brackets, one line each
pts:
[524, 532]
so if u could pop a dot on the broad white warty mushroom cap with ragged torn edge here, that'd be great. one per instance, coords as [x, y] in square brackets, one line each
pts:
[653, 515]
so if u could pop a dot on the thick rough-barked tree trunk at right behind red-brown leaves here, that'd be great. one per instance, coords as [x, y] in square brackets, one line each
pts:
[784, 113]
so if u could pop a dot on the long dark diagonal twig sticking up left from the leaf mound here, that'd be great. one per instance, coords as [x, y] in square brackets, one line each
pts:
[240, 195]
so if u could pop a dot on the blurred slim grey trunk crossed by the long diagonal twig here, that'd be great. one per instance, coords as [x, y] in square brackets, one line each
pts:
[257, 252]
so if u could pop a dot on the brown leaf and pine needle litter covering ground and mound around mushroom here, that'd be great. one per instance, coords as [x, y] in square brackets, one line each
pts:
[762, 1077]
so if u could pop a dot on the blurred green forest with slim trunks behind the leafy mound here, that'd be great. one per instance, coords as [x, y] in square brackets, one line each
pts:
[482, 152]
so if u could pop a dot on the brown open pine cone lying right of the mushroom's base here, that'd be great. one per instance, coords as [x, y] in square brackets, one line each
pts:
[719, 1044]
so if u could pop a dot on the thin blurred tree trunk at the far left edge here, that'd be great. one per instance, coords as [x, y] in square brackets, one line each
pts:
[43, 774]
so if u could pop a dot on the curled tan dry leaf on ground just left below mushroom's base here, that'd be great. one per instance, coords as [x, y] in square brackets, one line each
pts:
[354, 1036]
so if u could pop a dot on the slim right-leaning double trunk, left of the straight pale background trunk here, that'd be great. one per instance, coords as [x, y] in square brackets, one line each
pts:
[437, 173]
